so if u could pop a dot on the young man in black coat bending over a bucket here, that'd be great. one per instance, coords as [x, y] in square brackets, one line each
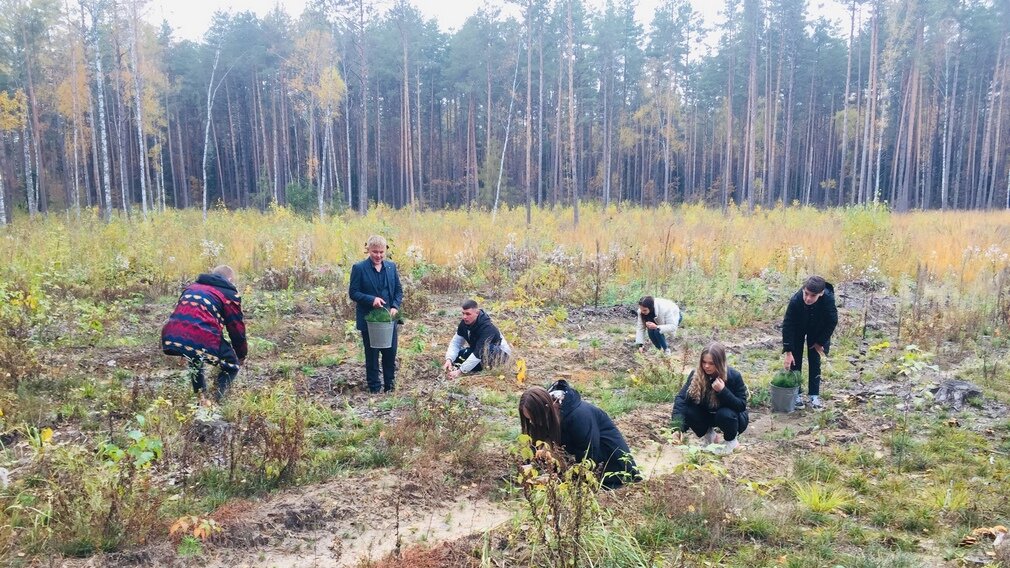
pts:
[812, 319]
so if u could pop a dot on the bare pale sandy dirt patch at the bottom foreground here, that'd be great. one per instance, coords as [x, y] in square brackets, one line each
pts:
[345, 522]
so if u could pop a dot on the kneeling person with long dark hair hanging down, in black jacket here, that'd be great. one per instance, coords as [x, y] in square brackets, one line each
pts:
[560, 416]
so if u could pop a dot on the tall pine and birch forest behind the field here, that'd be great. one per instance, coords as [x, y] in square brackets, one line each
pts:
[350, 106]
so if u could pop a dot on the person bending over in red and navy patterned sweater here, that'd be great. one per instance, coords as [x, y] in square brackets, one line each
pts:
[196, 330]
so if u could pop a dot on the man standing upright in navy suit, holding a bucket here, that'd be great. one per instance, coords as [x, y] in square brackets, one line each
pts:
[376, 283]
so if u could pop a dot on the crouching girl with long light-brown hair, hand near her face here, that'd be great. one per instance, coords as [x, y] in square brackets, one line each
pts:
[714, 397]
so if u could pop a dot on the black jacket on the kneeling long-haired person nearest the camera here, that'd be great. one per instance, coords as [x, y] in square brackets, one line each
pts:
[587, 432]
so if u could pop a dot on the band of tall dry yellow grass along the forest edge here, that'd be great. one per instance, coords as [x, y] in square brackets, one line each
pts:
[842, 244]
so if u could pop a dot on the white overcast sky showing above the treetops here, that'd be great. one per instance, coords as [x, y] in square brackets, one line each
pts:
[191, 19]
